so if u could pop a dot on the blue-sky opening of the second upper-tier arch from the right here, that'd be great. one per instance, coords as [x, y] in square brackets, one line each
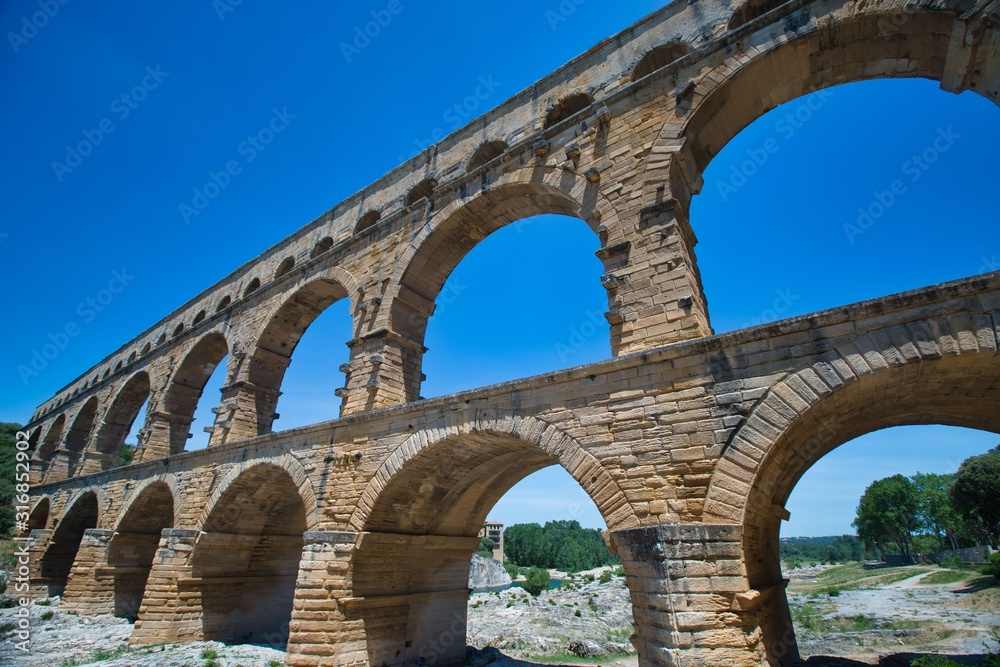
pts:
[483, 332]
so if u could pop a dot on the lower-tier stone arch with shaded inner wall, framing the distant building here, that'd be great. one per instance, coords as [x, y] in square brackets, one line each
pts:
[420, 518]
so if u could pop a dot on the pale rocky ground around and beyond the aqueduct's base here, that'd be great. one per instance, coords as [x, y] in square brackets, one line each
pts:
[881, 617]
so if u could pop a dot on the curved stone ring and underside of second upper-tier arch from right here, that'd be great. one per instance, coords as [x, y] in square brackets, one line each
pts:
[438, 247]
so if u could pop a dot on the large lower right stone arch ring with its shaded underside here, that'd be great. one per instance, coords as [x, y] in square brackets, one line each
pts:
[944, 372]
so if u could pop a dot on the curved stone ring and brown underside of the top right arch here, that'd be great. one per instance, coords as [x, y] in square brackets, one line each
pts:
[785, 68]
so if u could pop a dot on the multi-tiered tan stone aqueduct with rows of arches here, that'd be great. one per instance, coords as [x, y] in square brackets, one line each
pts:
[350, 540]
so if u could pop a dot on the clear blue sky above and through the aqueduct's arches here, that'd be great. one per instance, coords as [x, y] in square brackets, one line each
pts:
[774, 246]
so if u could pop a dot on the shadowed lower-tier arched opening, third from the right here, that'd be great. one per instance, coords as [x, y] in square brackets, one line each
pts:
[247, 558]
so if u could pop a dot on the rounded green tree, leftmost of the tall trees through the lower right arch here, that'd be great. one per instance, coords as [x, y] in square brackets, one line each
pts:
[887, 513]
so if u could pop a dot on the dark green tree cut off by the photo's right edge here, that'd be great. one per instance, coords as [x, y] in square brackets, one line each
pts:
[976, 493]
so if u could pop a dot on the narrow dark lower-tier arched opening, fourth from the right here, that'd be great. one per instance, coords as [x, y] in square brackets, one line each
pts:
[136, 539]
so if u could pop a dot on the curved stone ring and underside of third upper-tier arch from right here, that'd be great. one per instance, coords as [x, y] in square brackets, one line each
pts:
[281, 334]
